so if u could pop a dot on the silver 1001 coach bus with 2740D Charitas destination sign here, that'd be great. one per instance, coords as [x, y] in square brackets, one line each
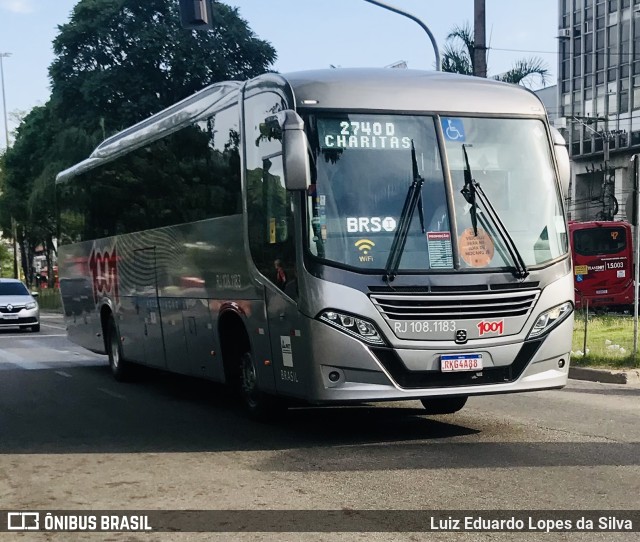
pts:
[328, 236]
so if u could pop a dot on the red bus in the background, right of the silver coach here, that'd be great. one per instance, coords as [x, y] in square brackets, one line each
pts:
[602, 255]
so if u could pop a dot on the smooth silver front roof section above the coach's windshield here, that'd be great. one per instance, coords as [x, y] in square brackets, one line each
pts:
[411, 90]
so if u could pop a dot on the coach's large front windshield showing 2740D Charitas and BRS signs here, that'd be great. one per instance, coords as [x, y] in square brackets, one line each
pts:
[365, 168]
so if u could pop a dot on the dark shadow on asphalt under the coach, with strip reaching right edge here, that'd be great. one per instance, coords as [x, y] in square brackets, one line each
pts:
[83, 410]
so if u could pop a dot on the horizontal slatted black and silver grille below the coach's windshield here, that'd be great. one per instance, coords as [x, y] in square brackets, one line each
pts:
[460, 307]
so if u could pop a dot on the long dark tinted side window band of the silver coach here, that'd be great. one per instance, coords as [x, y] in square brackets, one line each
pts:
[190, 175]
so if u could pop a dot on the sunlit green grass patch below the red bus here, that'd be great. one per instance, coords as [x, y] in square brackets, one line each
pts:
[609, 341]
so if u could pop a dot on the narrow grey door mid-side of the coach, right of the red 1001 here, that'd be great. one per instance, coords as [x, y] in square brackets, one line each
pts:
[148, 306]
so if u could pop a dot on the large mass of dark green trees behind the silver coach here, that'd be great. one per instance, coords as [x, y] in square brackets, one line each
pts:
[117, 62]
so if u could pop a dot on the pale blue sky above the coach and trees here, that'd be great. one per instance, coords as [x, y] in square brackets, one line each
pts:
[306, 34]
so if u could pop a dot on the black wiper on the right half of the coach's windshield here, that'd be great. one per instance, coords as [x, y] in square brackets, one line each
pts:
[471, 190]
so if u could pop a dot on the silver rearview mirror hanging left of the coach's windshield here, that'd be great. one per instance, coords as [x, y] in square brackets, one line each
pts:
[297, 174]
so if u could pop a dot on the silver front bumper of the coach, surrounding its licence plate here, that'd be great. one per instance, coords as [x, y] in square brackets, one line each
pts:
[371, 374]
